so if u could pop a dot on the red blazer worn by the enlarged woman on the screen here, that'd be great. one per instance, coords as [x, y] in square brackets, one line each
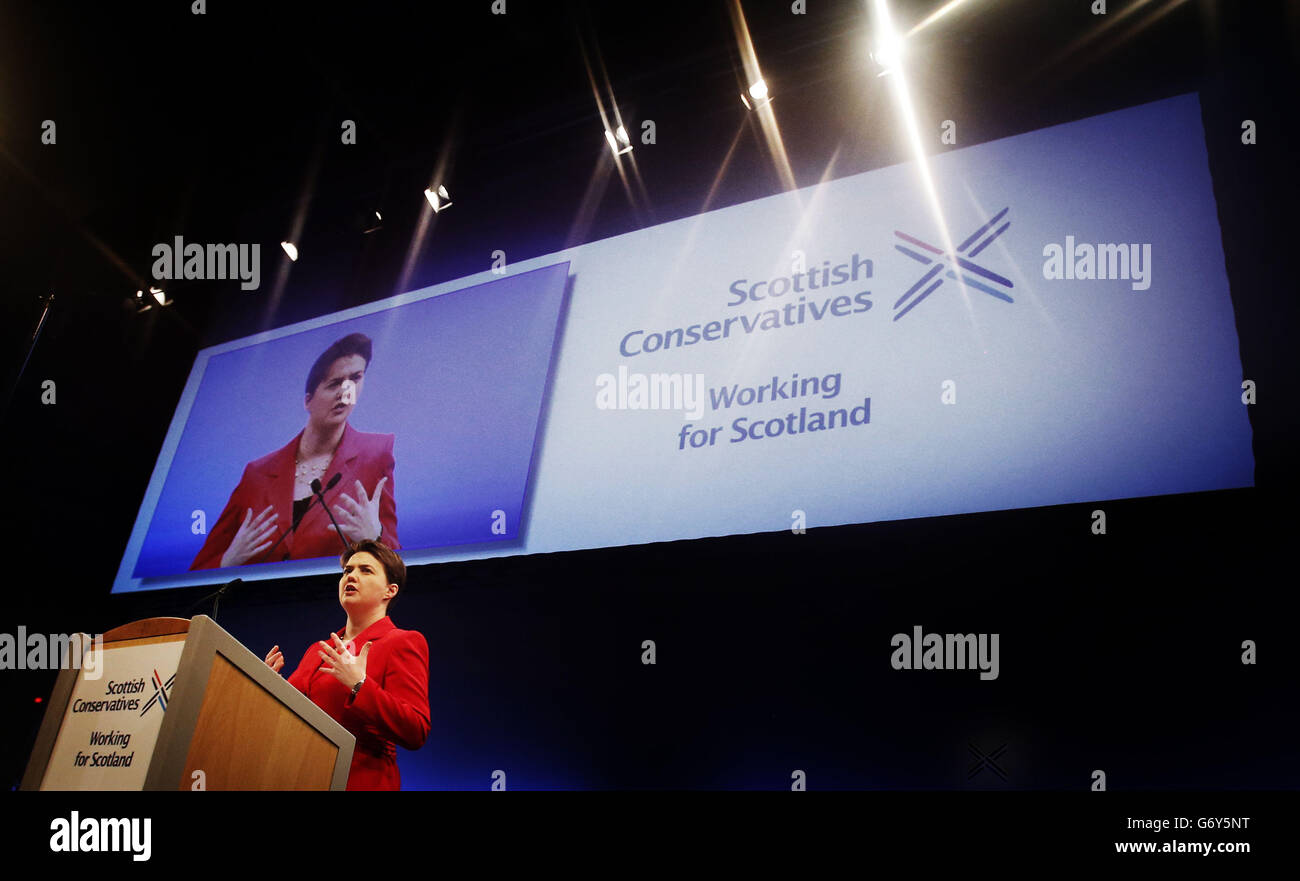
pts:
[361, 457]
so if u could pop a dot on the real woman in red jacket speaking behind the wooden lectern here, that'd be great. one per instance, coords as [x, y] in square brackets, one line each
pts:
[372, 679]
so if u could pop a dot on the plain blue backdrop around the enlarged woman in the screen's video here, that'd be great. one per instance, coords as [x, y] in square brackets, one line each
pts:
[457, 379]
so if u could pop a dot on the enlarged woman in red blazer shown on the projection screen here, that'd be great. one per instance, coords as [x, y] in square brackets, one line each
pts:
[276, 491]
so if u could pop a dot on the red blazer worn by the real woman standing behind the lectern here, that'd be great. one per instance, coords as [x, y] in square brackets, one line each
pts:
[392, 708]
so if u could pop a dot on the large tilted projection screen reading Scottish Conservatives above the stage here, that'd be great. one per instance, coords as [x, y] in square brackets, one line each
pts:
[1050, 326]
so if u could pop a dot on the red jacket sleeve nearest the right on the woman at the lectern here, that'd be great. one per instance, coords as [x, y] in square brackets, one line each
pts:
[400, 706]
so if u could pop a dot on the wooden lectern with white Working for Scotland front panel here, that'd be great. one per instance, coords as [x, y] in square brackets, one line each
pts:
[175, 704]
